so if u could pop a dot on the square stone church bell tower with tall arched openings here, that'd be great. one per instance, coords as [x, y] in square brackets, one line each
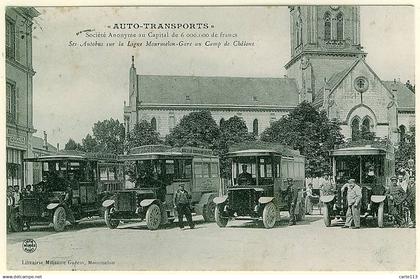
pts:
[324, 40]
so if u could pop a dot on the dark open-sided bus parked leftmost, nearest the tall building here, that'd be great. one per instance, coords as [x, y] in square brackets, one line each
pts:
[91, 177]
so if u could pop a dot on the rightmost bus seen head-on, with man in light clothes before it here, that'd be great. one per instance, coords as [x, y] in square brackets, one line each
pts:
[371, 166]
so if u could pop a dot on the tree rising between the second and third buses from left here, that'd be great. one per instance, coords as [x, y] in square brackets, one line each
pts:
[232, 131]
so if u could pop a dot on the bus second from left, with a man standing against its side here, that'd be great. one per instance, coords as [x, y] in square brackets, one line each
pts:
[153, 174]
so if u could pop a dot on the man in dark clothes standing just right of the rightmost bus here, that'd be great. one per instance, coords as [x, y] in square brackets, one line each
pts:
[396, 197]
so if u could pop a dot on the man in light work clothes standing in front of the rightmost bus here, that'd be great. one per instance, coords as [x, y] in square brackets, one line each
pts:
[354, 198]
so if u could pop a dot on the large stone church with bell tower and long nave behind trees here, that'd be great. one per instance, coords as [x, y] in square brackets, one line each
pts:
[327, 68]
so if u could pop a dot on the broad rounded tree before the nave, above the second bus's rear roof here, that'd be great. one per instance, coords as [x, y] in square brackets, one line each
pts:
[197, 129]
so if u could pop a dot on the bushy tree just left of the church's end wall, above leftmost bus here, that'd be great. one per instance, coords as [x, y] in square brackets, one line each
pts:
[110, 136]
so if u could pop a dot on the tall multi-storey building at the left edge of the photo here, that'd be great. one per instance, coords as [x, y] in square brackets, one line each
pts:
[19, 93]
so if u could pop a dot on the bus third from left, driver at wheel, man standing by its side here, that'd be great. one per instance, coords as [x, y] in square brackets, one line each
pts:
[265, 193]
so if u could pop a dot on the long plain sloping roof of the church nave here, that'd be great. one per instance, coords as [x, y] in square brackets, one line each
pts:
[235, 91]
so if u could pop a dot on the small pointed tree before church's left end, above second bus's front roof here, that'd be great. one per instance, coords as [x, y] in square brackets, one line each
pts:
[142, 134]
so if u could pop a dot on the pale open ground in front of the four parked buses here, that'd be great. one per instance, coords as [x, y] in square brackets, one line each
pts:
[242, 245]
